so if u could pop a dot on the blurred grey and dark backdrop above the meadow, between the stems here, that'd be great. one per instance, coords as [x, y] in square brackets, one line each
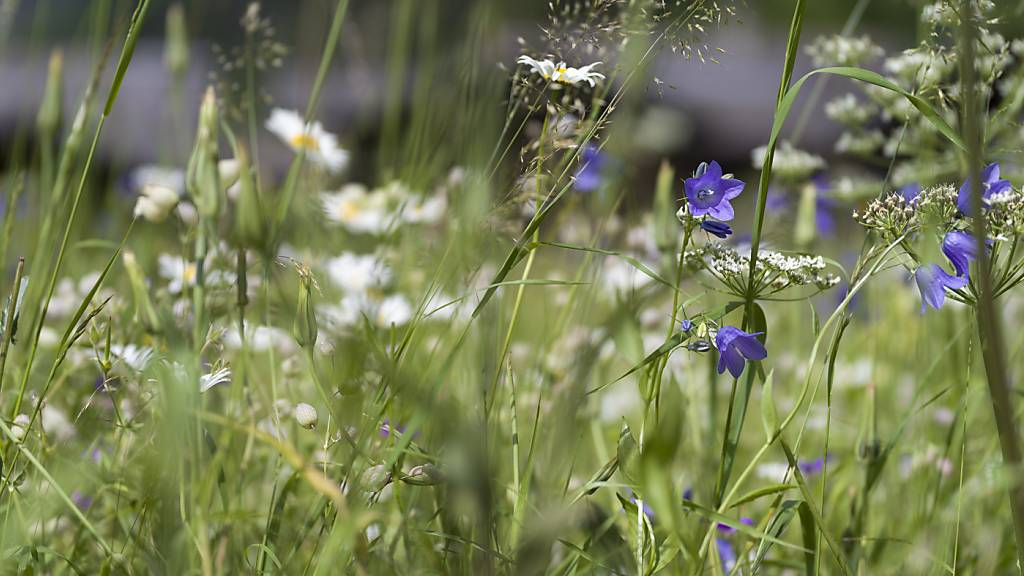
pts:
[711, 110]
